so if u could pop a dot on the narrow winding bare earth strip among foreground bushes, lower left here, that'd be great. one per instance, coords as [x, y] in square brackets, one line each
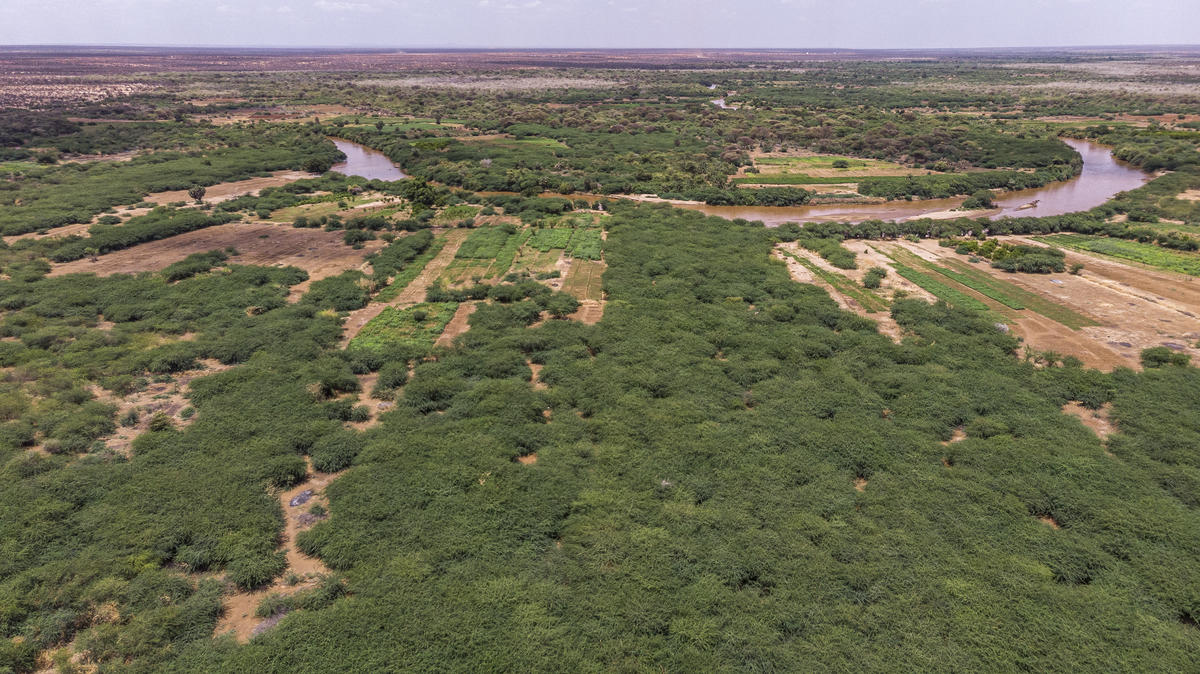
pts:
[238, 610]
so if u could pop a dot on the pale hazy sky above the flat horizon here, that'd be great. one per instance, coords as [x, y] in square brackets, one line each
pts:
[860, 25]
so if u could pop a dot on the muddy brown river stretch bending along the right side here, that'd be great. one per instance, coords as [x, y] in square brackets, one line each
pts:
[1101, 179]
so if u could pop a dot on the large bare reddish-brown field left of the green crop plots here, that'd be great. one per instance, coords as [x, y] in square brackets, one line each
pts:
[321, 254]
